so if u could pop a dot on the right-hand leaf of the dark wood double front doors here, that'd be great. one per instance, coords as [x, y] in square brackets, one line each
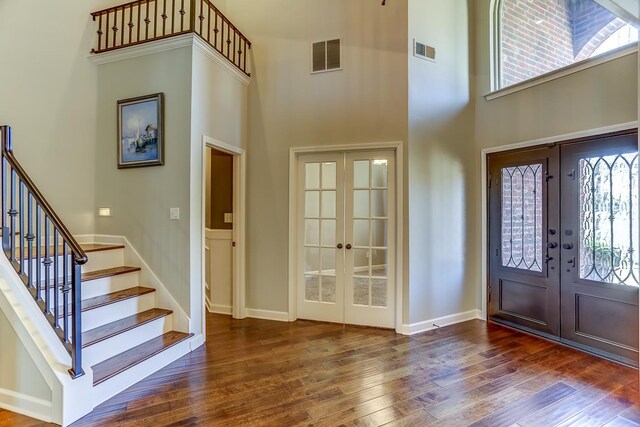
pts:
[599, 242]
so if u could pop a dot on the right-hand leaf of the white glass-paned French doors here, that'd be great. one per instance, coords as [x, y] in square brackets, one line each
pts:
[370, 239]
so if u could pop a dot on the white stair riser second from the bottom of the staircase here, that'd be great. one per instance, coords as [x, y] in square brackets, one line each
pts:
[106, 349]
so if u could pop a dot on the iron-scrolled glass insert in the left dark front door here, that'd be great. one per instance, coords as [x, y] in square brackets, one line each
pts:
[522, 217]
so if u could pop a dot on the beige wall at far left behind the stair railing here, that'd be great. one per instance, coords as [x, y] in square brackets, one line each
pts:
[49, 98]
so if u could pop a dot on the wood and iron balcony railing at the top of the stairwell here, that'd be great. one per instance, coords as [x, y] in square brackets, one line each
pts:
[144, 21]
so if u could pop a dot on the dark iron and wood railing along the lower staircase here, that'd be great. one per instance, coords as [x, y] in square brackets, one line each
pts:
[43, 252]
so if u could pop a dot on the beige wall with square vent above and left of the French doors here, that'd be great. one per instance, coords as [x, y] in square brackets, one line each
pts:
[289, 107]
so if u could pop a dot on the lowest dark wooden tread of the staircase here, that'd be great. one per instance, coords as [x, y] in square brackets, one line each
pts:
[130, 358]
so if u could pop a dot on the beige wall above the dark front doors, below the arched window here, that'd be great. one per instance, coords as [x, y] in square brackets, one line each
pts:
[600, 96]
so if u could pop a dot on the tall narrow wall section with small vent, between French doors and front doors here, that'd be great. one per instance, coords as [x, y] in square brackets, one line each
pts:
[441, 187]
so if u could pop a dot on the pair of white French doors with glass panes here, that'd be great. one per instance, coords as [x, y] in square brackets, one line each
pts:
[346, 245]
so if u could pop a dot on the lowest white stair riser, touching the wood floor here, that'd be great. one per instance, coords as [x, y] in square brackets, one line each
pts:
[137, 373]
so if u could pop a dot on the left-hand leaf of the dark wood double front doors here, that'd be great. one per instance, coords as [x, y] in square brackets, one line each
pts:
[523, 238]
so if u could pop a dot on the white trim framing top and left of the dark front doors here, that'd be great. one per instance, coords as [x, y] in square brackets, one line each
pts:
[524, 144]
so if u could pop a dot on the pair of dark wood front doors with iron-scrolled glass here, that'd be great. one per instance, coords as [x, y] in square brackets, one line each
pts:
[563, 244]
